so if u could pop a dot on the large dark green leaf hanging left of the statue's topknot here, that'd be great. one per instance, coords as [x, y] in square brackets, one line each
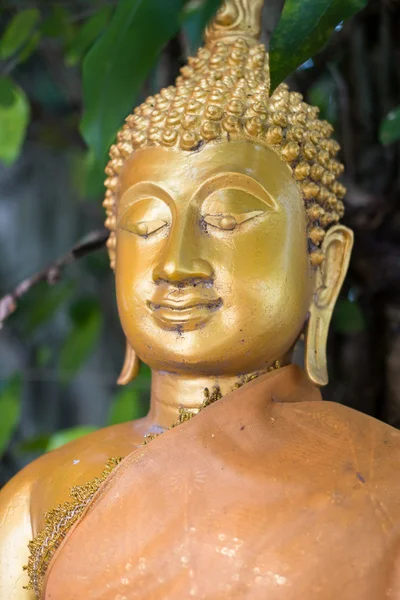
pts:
[117, 65]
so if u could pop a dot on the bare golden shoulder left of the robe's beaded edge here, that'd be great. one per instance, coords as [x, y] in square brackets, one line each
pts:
[46, 483]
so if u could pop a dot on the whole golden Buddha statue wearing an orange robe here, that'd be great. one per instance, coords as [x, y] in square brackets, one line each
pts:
[224, 206]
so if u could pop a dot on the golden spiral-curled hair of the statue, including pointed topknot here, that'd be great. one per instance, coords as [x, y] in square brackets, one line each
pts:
[223, 93]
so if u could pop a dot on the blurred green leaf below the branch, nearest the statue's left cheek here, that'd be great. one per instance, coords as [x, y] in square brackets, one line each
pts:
[82, 338]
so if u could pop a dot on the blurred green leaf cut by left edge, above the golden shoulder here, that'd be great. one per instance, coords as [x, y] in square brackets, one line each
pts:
[10, 409]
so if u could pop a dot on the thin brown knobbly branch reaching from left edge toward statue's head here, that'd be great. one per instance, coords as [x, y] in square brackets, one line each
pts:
[90, 243]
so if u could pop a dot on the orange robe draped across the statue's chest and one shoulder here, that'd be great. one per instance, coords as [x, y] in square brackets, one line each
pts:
[268, 494]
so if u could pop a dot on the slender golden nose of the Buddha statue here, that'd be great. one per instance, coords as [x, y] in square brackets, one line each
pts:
[181, 260]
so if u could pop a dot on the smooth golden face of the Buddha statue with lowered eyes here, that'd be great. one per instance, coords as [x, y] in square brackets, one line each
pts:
[212, 269]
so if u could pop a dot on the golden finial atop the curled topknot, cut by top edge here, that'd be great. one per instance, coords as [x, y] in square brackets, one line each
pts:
[236, 18]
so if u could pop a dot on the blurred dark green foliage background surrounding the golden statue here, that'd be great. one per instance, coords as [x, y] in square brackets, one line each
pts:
[70, 71]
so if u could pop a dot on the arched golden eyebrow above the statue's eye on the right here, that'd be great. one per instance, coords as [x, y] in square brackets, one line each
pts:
[238, 181]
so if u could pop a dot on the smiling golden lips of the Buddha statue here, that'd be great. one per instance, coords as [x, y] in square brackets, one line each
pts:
[185, 314]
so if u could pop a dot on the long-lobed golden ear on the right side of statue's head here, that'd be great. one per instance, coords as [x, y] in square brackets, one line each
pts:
[330, 275]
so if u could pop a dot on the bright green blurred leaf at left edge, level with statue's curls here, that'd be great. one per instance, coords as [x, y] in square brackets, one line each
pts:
[14, 118]
